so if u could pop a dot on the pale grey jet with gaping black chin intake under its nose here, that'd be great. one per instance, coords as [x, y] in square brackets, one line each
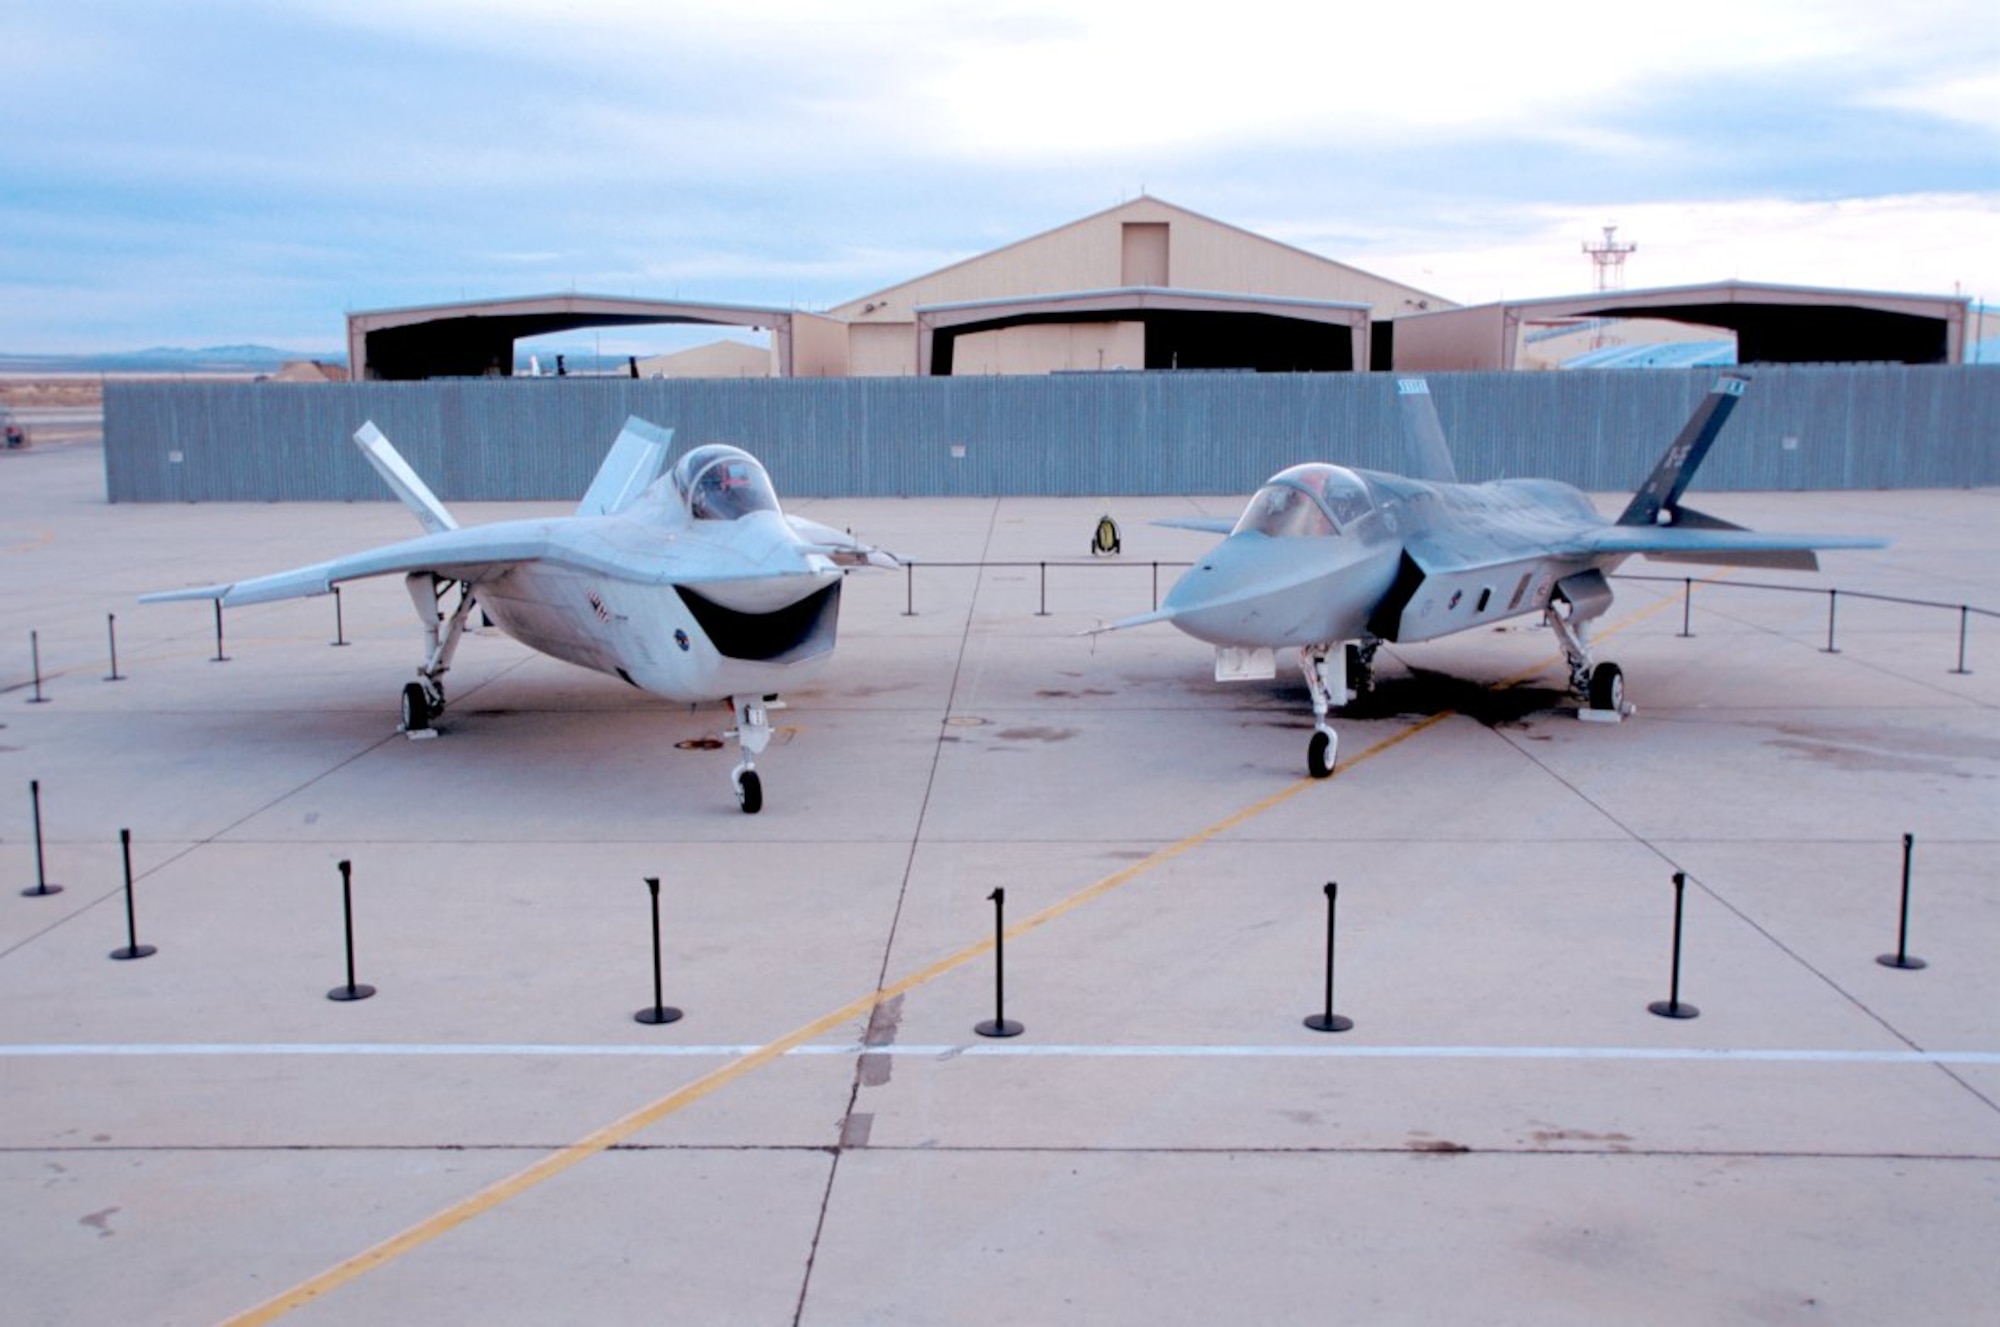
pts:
[693, 585]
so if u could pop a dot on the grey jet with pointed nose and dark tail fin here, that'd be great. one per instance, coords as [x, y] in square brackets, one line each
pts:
[1333, 563]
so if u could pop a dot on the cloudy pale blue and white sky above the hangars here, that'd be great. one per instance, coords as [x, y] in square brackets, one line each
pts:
[225, 171]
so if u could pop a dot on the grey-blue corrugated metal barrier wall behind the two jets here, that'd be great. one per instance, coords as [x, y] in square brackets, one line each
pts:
[1069, 435]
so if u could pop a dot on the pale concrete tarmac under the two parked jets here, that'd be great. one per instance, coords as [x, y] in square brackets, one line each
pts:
[1507, 1134]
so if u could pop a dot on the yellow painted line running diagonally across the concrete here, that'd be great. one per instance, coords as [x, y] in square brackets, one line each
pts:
[721, 1078]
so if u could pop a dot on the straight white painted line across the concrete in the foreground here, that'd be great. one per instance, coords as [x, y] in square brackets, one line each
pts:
[989, 1050]
